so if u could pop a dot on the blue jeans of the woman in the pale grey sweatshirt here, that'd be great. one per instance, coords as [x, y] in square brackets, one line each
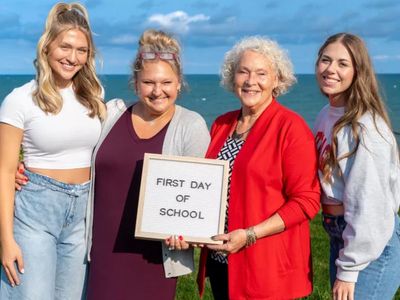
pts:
[381, 279]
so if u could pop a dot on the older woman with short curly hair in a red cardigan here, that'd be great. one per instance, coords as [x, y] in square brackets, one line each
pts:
[273, 184]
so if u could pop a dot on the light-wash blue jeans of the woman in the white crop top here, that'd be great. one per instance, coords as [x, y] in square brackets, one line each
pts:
[49, 227]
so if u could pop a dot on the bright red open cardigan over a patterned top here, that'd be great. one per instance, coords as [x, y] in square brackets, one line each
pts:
[274, 172]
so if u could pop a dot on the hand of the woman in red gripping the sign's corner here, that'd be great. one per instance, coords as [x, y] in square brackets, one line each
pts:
[233, 241]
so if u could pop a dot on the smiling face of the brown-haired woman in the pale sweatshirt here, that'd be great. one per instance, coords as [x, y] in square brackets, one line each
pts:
[335, 72]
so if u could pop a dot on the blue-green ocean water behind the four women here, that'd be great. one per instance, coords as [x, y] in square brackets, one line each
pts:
[205, 96]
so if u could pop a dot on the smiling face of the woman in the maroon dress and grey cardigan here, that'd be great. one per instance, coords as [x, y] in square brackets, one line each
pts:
[157, 86]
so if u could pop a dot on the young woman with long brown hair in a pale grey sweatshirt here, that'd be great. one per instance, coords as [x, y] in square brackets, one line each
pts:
[359, 173]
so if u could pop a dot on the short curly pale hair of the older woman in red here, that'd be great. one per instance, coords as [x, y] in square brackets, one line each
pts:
[271, 50]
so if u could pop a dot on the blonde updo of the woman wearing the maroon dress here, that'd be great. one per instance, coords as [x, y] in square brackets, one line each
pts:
[158, 41]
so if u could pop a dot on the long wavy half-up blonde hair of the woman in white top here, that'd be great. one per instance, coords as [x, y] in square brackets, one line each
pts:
[87, 87]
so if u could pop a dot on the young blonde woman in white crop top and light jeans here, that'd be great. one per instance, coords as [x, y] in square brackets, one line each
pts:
[57, 119]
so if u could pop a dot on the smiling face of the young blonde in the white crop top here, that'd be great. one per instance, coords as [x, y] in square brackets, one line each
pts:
[66, 55]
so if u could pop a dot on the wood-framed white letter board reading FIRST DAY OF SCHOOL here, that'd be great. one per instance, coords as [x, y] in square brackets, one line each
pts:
[182, 196]
